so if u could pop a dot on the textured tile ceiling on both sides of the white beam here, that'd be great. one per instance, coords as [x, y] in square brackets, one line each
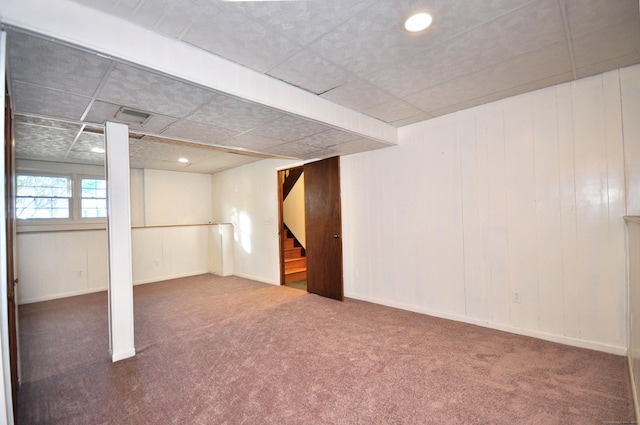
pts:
[350, 52]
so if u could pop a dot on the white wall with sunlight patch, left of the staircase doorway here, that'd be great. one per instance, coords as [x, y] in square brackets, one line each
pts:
[247, 197]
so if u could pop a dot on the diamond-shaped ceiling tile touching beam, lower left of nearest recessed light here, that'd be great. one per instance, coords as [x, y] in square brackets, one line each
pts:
[310, 72]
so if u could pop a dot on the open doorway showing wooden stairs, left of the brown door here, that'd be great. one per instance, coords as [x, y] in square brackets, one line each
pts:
[293, 261]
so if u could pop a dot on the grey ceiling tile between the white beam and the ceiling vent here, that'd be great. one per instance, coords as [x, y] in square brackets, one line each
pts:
[146, 90]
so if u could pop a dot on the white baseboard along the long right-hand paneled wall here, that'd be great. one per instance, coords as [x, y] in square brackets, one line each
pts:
[561, 339]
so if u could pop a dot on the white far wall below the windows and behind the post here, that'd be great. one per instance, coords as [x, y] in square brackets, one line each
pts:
[54, 264]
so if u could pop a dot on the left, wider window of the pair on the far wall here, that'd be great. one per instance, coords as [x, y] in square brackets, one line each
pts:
[43, 197]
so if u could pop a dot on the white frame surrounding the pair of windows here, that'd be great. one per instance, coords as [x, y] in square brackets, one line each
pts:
[75, 201]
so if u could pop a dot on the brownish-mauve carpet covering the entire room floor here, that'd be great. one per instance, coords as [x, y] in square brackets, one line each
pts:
[214, 350]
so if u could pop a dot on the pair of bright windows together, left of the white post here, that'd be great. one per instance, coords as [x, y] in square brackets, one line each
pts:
[46, 197]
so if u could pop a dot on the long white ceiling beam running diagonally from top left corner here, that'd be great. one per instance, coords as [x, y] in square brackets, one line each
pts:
[114, 37]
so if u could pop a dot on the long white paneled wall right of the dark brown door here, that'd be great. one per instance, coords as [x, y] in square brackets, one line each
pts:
[507, 215]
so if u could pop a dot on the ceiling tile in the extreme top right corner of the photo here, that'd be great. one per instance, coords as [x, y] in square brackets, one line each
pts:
[588, 16]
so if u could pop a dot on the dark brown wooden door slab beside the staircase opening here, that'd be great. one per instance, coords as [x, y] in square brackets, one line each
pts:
[323, 218]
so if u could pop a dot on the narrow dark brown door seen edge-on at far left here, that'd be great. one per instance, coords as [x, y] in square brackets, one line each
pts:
[10, 227]
